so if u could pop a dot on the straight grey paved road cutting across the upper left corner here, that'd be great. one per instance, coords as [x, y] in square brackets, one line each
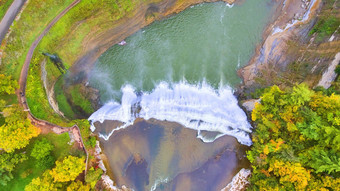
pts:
[9, 17]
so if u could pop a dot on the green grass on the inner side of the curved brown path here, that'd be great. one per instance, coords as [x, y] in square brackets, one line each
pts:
[65, 39]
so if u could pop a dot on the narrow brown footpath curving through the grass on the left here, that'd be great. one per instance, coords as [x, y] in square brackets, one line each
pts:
[22, 83]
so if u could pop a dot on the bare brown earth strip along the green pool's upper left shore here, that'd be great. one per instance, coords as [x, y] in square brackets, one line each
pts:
[95, 44]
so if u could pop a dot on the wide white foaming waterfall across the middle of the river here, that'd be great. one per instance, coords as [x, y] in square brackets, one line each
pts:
[198, 107]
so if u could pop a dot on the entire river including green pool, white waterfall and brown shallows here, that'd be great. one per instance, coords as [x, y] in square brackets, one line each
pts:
[169, 119]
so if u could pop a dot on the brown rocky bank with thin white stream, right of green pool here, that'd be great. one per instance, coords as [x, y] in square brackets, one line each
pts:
[293, 24]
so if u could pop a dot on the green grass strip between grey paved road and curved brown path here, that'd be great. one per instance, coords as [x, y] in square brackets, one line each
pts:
[33, 20]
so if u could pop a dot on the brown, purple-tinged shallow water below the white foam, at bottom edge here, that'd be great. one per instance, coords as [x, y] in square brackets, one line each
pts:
[166, 156]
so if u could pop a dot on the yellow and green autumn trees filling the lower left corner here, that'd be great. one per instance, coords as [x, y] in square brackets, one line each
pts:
[59, 169]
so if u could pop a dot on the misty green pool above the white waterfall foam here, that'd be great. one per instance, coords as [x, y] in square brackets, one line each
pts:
[206, 42]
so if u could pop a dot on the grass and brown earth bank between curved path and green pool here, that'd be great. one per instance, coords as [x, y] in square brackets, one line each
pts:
[71, 43]
